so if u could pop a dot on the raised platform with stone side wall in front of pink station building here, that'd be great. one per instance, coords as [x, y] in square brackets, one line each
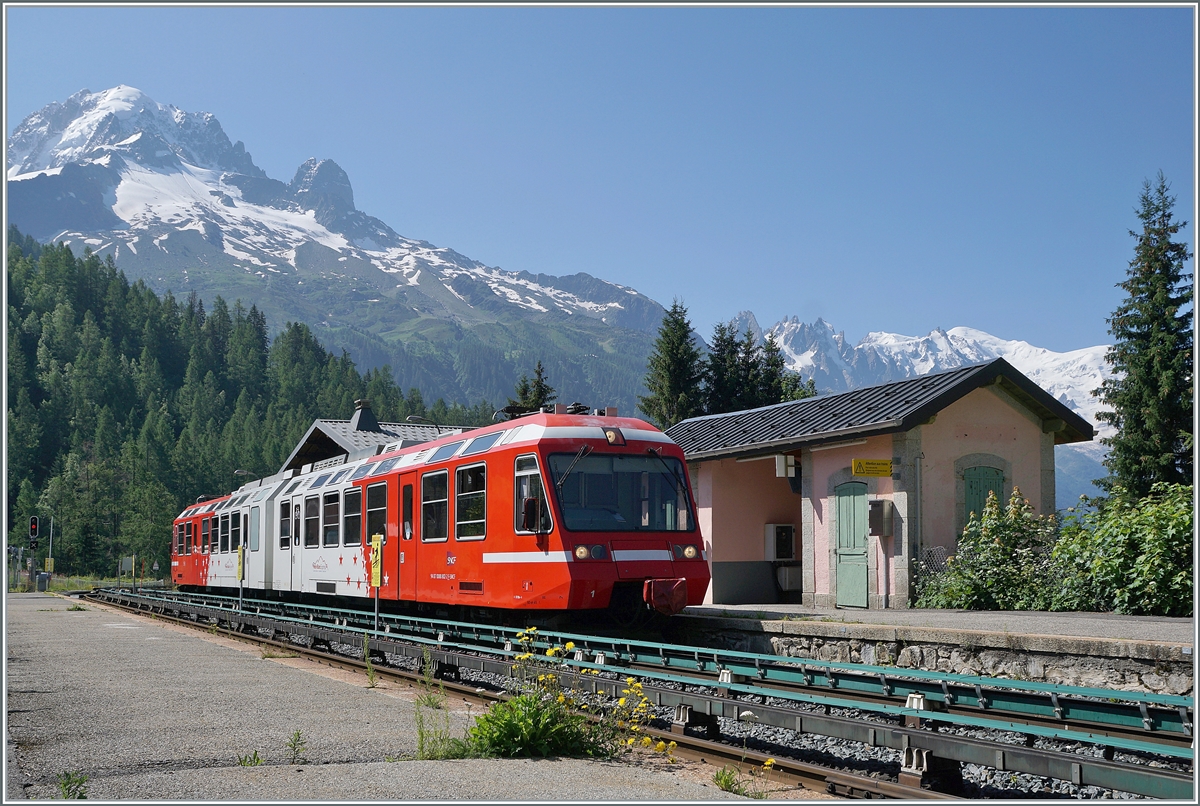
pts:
[1101, 651]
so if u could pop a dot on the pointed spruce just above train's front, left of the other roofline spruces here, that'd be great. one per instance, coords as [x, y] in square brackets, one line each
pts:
[674, 372]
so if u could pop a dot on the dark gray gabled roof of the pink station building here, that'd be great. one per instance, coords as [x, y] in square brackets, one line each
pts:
[887, 408]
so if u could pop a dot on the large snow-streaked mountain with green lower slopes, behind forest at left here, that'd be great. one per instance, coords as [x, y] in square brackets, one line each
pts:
[175, 202]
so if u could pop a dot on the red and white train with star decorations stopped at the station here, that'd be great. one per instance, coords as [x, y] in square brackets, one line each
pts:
[542, 515]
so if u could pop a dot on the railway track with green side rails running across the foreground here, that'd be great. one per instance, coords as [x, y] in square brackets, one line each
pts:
[920, 715]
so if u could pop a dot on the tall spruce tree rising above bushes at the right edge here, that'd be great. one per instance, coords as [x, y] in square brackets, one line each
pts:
[1151, 358]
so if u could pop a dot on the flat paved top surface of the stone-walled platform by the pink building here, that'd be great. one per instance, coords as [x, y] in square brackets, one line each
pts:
[1079, 625]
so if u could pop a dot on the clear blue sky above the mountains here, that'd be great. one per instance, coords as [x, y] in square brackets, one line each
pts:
[889, 169]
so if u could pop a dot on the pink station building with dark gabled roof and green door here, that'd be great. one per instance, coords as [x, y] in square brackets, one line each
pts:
[833, 501]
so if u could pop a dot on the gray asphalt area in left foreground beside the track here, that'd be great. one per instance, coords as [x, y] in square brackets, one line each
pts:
[151, 711]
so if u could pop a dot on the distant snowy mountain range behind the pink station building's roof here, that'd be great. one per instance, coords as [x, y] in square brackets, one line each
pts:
[824, 354]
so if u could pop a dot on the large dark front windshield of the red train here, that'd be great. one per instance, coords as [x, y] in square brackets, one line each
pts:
[617, 492]
